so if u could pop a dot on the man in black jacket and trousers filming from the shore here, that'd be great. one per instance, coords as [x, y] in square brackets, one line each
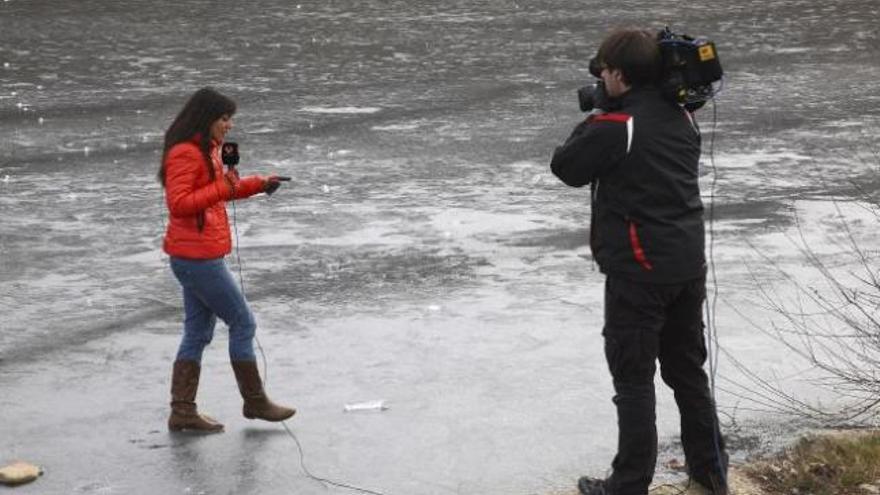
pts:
[640, 151]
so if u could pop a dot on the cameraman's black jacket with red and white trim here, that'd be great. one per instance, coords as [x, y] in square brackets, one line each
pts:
[642, 161]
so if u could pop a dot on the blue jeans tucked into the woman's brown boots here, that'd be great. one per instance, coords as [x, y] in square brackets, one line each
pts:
[209, 291]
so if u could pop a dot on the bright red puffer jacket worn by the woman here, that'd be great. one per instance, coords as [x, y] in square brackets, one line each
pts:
[198, 227]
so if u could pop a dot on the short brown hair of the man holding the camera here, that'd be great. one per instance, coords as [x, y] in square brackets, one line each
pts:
[635, 53]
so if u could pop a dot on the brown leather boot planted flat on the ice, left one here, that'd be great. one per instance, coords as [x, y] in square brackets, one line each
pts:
[184, 415]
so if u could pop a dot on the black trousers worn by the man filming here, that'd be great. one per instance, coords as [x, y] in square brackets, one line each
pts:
[644, 323]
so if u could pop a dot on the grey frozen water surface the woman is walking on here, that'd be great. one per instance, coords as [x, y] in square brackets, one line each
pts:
[423, 254]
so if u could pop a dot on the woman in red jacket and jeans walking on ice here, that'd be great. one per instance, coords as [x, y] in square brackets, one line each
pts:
[197, 239]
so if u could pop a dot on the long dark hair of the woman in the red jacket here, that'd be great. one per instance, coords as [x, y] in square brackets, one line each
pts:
[204, 107]
